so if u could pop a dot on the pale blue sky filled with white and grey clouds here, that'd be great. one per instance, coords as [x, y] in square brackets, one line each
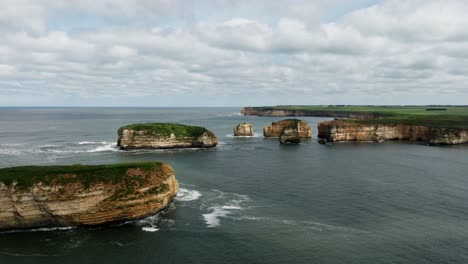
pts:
[232, 52]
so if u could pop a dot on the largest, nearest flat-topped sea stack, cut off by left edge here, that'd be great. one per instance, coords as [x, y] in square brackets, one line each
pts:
[83, 195]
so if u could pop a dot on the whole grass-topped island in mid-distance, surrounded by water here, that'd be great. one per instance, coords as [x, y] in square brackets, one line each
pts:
[164, 136]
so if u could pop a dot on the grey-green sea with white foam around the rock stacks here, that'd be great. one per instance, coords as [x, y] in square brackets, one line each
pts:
[250, 200]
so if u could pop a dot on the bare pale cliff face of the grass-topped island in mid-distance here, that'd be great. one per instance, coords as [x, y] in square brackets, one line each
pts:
[146, 139]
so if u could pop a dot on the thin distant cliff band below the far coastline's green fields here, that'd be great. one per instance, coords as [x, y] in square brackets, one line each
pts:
[267, 111]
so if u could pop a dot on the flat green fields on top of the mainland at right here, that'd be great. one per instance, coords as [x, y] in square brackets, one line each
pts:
[434, 116]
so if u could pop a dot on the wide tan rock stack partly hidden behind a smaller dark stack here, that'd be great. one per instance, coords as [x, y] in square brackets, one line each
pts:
[277, 128]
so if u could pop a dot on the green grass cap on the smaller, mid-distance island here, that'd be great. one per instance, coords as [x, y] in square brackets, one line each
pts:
[166, 129]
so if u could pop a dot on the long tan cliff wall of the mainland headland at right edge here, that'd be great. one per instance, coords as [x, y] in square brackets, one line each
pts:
[347, 130]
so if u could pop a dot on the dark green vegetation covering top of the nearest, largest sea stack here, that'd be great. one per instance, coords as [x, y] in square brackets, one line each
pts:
[27, 176]
